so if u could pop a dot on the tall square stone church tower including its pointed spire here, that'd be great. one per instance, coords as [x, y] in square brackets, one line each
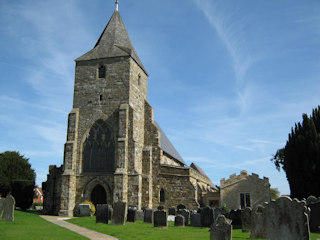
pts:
[105, 135]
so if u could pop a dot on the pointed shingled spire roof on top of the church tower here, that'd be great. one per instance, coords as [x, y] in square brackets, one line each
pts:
[113, 42]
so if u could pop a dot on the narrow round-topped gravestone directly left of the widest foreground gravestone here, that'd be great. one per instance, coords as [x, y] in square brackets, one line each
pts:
[258, 229]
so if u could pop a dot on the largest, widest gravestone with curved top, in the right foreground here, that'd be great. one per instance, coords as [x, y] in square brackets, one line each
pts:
[287, 219]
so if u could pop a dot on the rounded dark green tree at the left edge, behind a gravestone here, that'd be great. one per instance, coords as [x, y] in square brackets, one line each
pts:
[17, 177]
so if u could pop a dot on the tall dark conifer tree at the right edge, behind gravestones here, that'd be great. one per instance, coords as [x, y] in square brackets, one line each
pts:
[300, 158]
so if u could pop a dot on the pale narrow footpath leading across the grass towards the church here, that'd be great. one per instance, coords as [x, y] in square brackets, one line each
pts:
[92, 235]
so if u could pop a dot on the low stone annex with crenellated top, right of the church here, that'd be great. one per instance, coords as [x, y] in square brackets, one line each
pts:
[257, 188]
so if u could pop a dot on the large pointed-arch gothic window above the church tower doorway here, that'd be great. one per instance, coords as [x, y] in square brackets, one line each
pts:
[99, 149]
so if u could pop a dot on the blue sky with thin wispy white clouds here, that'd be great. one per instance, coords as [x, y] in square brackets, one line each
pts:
[227, 79]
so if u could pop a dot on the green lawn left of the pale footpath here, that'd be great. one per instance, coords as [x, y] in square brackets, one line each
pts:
[28, 226]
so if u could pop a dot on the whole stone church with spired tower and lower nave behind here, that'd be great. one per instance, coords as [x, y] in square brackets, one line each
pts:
[115, 150]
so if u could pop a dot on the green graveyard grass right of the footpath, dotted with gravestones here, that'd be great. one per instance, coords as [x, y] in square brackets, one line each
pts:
[146, 231]
